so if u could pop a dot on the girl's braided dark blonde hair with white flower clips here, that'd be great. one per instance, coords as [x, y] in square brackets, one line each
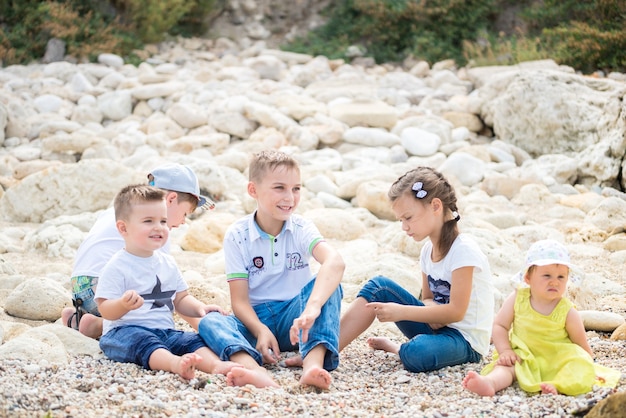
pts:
[433, 185]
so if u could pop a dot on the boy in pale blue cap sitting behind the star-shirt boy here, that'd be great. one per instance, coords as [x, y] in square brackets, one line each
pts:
[103, 240]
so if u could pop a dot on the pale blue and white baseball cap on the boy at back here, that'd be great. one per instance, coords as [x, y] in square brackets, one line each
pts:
[179, 178]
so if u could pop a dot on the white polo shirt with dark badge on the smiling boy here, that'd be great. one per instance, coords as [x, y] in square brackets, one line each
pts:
[276, 268]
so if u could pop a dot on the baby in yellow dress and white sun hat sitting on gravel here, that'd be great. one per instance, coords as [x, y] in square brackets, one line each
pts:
[539, 336]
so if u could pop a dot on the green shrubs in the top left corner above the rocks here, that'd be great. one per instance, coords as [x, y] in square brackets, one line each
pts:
[90, 27]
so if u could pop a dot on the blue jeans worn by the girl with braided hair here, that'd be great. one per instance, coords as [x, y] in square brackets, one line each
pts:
[427, 349]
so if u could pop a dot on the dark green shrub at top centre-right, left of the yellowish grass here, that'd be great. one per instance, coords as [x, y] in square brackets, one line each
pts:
[390, 30]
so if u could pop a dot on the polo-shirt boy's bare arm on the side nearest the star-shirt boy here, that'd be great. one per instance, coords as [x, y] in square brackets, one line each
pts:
[242, 309]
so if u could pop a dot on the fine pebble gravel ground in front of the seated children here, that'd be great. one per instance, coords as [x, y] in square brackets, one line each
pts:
[367, 384]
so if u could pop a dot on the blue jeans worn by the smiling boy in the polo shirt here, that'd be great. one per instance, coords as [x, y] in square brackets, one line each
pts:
[226, 335]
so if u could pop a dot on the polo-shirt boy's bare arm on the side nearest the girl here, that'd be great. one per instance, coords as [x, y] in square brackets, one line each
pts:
[327, 280]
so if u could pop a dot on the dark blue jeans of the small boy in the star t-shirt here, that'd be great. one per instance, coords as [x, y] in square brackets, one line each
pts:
[135, 344]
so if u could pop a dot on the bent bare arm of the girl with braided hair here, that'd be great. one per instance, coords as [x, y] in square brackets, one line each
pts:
[432, 313]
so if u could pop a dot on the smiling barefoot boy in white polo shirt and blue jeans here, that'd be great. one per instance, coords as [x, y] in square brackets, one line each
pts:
[278, 304]
